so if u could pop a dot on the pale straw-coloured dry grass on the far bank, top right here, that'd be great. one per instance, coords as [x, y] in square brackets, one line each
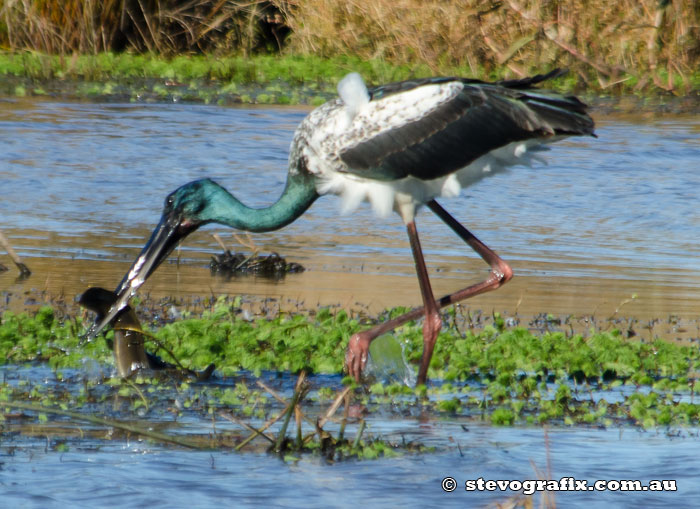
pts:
[644, 42]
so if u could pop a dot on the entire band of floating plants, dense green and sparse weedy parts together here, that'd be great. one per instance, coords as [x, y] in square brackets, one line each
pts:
[487, 370]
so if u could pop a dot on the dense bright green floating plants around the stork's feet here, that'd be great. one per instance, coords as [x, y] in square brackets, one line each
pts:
[503, 375]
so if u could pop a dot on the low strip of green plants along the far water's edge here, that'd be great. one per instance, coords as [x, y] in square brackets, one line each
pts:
[258, 79]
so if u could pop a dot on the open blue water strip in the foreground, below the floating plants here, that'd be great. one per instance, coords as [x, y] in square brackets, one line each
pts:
[136, 474]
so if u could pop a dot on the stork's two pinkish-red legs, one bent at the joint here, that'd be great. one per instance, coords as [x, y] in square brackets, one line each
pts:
[501, 273]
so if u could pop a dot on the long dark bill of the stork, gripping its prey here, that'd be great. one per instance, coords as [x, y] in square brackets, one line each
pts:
[163, 240]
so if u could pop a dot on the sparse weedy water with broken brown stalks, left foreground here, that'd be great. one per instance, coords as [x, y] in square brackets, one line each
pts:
[270, 413]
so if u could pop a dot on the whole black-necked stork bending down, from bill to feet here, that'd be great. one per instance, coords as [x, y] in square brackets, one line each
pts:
[399, 147]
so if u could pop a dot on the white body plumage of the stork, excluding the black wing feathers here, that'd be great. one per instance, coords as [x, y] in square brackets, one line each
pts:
[352, 119]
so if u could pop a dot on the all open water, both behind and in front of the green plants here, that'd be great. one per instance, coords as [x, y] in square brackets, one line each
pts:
[82, 186]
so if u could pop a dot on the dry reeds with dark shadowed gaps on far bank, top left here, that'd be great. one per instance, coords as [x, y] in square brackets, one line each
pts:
[160, 26]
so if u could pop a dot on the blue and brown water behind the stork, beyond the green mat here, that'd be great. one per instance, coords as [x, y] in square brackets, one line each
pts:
[83, 184]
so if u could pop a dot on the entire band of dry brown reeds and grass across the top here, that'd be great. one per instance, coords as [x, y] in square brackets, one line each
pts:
[643, 44]
